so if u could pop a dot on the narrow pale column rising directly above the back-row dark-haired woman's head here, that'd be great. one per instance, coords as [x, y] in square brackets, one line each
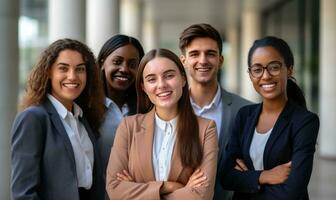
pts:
[131, 18]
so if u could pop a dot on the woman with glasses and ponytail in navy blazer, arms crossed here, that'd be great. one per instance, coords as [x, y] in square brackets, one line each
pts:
[270, 153]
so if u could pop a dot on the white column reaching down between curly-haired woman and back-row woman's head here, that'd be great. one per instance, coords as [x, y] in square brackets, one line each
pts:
[102, 22]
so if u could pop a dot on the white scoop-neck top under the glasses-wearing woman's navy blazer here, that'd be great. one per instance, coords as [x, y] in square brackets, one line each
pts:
[257, 148]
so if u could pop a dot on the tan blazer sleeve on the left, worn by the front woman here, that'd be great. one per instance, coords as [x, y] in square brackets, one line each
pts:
[119, 161]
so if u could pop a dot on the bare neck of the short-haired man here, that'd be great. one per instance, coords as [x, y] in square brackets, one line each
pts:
[203, 94]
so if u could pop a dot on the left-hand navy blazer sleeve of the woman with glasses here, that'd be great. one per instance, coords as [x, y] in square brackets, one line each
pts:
[230, 178]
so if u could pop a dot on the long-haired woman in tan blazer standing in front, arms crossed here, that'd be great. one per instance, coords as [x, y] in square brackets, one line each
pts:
[166, 152]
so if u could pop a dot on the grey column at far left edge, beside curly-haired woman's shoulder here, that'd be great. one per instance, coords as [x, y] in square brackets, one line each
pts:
[9, 56]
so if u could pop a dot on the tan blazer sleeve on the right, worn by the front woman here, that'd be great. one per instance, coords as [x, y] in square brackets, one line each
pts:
[208, 166]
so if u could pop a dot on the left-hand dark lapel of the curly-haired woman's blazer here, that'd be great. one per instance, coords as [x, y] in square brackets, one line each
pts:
[55, 118]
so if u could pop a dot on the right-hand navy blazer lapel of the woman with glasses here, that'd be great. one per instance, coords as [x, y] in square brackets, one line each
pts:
[280, 124]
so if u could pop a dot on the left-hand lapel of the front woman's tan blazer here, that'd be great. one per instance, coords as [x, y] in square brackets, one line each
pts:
[144, 146]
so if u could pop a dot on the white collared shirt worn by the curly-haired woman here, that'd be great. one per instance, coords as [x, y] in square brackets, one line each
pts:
[80, 141]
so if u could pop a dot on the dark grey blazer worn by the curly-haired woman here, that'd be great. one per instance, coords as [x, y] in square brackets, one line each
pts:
[42, 158]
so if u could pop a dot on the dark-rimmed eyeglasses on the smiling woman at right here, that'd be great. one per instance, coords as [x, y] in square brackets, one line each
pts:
[273, 68]
